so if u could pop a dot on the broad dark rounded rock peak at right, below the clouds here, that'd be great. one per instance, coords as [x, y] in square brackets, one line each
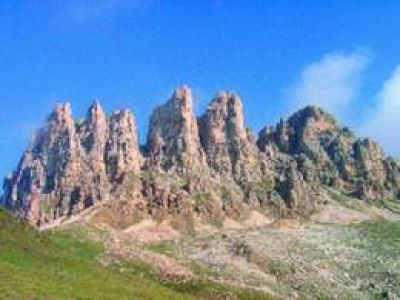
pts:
[327, 154]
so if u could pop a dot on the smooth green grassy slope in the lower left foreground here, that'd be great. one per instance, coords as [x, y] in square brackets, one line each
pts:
[56, 266]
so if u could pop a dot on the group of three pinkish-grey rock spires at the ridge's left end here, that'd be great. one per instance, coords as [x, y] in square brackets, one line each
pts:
[71, 165]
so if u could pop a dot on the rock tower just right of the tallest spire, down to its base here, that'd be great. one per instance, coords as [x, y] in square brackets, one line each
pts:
[232, 155]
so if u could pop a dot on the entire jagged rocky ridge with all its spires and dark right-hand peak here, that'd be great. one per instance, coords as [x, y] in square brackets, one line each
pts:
[210, 167]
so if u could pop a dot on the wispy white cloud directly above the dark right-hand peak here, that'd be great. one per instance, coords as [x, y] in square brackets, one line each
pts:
[332, 83]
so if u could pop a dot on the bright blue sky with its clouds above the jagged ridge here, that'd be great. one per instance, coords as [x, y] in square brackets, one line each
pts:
[278, 55]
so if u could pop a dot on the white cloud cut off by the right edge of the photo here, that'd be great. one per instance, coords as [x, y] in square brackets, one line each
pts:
[383, 123]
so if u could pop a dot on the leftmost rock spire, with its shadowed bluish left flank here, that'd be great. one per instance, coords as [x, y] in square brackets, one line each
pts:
[48, 167]
